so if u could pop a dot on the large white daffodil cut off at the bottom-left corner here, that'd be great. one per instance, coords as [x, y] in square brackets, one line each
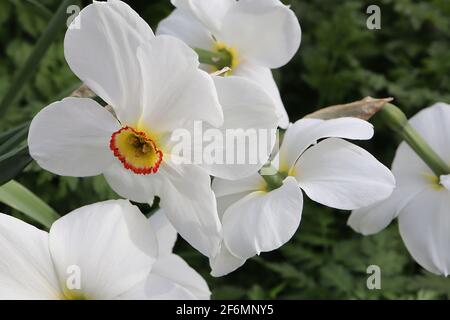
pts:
[107, 250]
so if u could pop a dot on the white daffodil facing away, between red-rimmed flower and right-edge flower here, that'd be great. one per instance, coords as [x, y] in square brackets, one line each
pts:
[257, 218]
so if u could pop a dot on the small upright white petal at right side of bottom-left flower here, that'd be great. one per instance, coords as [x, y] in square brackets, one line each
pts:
[164, 231]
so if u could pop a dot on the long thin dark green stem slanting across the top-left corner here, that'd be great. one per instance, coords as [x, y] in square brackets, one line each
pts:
[30, 66]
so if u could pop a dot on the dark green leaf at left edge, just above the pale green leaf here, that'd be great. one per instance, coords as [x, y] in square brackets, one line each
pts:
[12, 163]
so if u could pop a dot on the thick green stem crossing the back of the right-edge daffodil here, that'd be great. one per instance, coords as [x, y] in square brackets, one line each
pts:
[398, 122]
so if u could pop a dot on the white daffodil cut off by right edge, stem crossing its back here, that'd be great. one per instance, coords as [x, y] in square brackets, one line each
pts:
[421, 200]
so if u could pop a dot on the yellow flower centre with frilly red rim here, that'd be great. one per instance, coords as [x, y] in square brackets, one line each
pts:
[136, 151]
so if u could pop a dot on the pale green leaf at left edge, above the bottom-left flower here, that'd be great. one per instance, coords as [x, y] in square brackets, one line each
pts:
[20, 198]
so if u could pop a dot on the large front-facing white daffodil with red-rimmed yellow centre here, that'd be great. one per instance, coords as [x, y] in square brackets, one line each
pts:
[155, 88]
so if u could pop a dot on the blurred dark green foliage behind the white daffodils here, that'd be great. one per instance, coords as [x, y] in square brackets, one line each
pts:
[339, 61]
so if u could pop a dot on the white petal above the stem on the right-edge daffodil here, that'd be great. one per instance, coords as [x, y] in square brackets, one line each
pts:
[437, 134]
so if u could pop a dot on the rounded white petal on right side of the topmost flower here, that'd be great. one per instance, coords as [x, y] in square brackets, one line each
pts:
[264, 31]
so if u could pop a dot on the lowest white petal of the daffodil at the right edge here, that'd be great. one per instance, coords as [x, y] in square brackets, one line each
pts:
[424, 227]
